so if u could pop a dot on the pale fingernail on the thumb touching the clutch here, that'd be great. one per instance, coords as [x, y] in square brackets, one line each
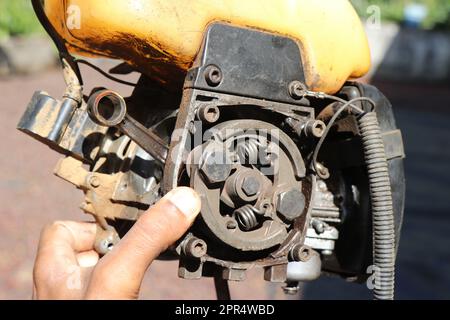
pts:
[186, 200]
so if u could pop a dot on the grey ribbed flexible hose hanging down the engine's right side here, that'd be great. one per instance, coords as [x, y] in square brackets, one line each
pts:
[382, 206]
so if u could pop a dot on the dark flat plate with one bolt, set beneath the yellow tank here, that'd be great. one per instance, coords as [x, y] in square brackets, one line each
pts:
[247, 62]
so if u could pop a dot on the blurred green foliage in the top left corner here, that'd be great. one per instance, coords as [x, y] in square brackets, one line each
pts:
[17, 18]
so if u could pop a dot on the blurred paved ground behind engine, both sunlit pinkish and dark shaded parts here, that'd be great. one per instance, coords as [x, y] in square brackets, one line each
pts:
[31, 196]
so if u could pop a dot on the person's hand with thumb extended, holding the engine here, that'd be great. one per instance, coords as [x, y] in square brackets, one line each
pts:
[67, 267]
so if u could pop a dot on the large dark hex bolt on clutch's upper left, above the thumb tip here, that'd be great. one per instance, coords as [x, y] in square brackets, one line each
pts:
[215, 166]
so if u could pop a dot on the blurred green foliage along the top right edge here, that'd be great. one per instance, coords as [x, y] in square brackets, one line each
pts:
[392, 10]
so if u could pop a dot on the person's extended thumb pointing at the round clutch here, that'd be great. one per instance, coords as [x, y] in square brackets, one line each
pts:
[119, 274]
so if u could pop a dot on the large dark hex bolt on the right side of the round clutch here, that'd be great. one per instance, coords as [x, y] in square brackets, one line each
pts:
[290, 204]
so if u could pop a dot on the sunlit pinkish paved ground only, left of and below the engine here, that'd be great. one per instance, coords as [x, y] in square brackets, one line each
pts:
[31, 197]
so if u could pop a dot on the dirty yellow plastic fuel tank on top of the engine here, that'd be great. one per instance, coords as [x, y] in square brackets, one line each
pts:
[162, 37]
